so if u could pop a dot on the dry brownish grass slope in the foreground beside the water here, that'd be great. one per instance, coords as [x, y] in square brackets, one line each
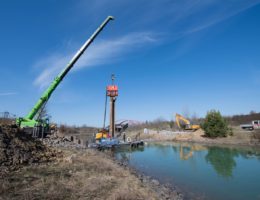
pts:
[79, 175]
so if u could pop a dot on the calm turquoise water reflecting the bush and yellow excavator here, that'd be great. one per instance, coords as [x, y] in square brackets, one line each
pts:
[200, 171]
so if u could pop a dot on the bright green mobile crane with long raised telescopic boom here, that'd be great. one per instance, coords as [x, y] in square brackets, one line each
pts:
[29, 122]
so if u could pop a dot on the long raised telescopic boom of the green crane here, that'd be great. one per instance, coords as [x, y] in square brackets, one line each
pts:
[28, 120]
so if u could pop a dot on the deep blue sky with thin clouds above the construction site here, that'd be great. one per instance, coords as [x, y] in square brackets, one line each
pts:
[169, 56]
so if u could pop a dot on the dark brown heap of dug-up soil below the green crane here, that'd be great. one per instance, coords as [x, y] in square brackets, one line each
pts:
[17, 149]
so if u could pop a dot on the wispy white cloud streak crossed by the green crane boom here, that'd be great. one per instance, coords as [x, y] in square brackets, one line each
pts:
[102, 52]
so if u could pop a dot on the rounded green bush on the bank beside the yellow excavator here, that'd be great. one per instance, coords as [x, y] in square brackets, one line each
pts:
[215, 125]
